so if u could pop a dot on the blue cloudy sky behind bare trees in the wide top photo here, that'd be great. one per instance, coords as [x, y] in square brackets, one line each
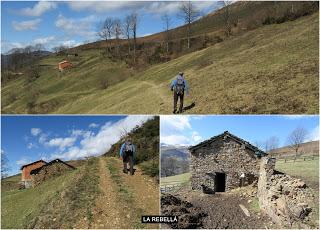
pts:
[76, 22]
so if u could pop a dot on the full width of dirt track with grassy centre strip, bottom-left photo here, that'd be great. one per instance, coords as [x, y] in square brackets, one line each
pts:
[124, 198]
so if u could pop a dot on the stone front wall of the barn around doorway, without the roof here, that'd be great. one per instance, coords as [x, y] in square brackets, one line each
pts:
[223, 155]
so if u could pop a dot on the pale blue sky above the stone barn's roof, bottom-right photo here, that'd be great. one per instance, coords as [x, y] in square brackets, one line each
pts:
[190, 130]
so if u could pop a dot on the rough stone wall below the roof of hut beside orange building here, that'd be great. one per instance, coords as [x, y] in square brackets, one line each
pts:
[48, 171]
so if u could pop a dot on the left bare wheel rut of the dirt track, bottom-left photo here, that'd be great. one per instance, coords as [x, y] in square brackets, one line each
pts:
[108, 212]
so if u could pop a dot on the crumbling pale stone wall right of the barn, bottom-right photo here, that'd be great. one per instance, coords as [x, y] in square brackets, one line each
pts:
[285, 199]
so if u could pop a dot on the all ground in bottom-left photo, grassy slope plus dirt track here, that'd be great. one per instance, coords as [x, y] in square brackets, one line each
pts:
[96, 195]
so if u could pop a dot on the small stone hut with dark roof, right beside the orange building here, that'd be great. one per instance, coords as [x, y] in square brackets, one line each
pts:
[53, 168]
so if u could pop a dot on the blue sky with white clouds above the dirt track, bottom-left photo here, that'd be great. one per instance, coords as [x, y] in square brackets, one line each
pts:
[26, 139]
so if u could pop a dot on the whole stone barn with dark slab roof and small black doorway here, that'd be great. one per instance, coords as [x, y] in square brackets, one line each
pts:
[224, 162]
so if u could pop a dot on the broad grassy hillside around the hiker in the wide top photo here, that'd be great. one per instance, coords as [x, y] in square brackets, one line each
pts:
[272, 69]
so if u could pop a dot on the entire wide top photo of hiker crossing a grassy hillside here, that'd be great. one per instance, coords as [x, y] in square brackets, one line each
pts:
[159, 57]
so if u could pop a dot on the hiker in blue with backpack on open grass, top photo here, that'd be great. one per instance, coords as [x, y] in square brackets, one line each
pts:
[178, 86]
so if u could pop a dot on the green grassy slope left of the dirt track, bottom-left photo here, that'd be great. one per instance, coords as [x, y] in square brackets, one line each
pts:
[59, 202]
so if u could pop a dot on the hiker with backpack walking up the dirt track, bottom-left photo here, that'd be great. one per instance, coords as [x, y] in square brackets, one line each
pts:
[127, 152]
